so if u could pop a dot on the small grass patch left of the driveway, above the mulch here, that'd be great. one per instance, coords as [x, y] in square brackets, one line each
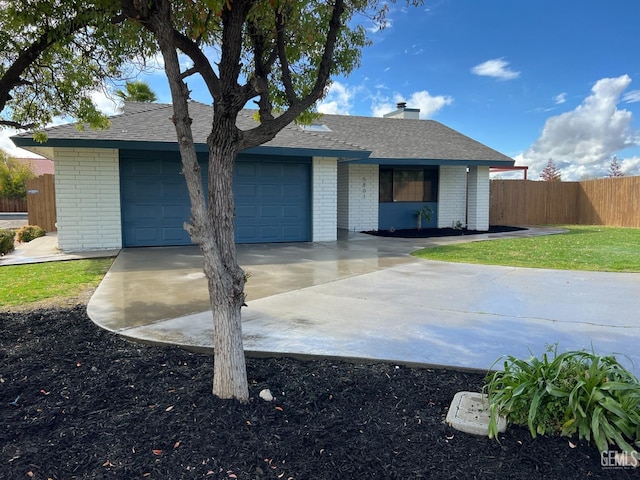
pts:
[27, 284]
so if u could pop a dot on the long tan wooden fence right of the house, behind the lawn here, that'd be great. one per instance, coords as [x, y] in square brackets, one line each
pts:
[607, 201]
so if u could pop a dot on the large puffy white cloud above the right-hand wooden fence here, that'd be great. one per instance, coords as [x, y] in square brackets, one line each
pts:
[582, 141]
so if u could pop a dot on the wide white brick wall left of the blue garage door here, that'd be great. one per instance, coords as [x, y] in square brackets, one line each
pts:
[87, 199]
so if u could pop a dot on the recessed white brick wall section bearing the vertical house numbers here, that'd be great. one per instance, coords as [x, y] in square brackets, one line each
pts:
[358, 197]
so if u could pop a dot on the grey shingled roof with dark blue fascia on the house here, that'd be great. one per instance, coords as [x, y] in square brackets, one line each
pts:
[352, 138]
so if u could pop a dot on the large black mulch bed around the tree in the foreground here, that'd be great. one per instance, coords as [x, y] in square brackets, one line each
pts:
[78, 402]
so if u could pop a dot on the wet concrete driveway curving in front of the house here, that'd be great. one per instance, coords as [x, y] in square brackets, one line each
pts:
[366, 297]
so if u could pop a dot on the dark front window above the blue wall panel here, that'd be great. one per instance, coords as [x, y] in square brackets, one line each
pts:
[408, 185]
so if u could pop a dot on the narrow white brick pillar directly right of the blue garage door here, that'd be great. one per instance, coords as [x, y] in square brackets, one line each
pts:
[324, 199]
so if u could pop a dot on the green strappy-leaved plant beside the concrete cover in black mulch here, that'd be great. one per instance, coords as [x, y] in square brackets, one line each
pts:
[576, 392]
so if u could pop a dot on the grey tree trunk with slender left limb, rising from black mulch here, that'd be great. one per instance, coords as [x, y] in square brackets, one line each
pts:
[212, 225]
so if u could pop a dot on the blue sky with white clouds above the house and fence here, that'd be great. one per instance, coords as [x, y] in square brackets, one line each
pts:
[533, 79]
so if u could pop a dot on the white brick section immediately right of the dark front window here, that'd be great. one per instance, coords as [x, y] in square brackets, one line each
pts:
[452, 196]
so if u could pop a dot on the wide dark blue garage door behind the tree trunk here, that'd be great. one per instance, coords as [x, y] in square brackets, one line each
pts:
[272, 199]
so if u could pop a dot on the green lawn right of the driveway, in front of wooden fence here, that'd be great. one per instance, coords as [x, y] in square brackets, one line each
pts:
[595, 248]
